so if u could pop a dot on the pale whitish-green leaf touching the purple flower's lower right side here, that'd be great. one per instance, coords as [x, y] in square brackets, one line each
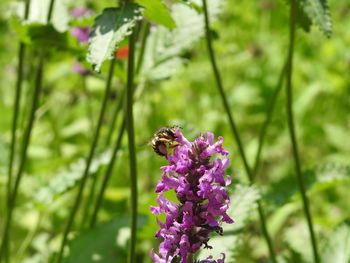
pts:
[243, 202]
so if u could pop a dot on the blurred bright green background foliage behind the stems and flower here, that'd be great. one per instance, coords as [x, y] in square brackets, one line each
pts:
[176, 86]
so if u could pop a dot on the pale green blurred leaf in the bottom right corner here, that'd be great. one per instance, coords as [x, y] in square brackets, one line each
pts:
[337, 248]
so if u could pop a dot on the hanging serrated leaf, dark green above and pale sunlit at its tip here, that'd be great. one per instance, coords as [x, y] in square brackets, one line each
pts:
[109, 29]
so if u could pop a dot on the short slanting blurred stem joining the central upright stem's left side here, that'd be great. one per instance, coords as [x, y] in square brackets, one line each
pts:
[107, 175]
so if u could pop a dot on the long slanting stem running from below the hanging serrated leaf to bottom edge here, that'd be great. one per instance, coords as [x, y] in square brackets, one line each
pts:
[88, 162]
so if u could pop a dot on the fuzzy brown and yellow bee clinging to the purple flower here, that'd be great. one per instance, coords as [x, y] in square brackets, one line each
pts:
[163, 139]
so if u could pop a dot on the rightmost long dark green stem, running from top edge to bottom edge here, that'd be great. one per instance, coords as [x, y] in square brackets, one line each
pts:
[292, 132]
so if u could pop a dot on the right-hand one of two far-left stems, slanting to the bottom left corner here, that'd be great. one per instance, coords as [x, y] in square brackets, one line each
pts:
[23, 155]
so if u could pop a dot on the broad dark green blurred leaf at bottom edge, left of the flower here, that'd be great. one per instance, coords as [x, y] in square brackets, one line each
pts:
[106, 243]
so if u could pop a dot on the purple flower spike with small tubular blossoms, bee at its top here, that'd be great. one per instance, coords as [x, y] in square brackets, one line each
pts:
[199, 184]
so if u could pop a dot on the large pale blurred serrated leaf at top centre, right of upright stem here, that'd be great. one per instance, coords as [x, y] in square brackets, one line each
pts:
[164, 47]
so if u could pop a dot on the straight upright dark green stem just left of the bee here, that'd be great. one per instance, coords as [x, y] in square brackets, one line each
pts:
[131, 144]
